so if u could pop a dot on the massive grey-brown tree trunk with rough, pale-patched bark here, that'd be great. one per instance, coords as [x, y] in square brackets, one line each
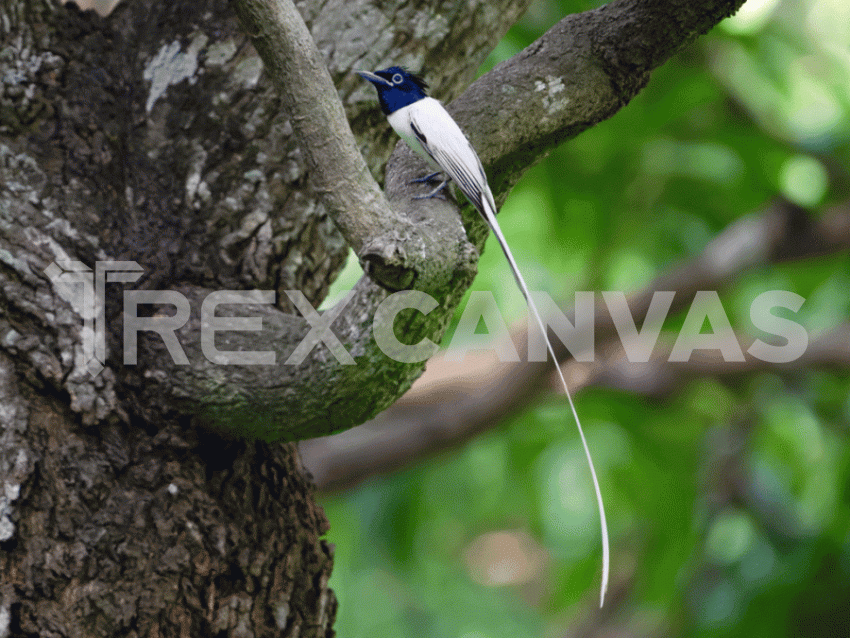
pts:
[118, 516]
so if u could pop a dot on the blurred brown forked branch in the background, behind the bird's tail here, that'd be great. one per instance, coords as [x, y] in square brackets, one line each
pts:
[453, 402]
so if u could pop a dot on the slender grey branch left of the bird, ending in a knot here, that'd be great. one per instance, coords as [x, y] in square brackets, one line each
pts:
[398, 254]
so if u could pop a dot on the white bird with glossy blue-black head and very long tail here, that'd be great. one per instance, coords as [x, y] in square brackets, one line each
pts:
[428, 129]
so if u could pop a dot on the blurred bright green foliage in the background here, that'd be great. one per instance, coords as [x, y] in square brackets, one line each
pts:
[727, 501]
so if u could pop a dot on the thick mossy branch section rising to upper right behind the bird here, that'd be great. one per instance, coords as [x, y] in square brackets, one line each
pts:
[579, 73]
